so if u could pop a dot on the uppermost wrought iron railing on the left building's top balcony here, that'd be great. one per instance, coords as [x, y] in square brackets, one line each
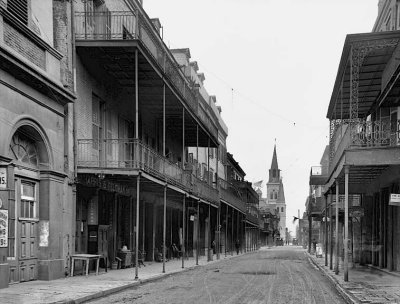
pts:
[117, 25]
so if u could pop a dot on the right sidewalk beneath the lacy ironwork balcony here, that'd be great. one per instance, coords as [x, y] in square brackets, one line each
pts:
[366, 284]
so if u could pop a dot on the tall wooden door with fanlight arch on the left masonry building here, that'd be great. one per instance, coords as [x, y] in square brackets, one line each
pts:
[29, 153]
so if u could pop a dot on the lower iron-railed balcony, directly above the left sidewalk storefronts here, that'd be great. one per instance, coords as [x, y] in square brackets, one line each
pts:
[124, 156]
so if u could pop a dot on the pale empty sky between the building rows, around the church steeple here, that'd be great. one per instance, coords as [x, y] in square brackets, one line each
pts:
[272, 66]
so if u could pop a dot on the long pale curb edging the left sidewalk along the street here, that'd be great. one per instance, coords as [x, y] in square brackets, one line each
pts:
[138, 282]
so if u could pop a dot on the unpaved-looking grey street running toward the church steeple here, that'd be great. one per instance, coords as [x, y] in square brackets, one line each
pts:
[275, 275]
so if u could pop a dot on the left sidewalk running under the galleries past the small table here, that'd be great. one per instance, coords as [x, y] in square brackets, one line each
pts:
[80, 288]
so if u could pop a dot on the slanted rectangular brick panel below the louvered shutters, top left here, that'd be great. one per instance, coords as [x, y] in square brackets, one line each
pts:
[24, 46]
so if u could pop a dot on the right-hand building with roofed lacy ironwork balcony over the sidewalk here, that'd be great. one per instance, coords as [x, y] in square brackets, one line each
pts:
[364, 143]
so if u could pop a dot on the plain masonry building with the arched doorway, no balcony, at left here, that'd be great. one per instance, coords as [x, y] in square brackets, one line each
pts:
[36, 164]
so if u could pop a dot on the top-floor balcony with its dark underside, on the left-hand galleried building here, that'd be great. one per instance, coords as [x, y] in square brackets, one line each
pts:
[114, 35]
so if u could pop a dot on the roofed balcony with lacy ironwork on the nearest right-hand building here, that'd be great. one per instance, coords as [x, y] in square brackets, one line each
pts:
[364, 128]
